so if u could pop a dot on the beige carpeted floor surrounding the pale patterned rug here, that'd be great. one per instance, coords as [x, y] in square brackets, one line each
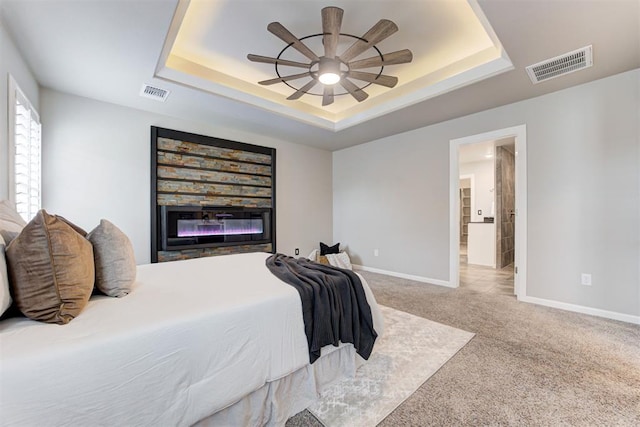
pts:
[527, 365]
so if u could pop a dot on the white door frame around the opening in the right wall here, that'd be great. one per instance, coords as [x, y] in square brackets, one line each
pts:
[519, 133]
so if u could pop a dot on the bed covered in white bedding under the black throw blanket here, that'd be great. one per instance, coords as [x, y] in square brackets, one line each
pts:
[209, 341]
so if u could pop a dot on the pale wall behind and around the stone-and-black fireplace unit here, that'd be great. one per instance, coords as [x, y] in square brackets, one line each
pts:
[96, 164]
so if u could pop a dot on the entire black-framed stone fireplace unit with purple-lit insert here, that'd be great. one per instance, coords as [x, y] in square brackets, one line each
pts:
[210, 196]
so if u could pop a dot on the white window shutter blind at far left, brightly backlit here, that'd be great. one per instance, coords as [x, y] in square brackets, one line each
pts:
[25, 149]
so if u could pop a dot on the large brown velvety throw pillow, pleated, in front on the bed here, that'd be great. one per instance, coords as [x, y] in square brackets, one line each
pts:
[51, 270]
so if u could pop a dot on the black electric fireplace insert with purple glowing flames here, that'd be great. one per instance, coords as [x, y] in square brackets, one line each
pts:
[187, 227]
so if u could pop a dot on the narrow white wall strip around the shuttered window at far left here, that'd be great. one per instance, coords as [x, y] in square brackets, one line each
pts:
[11, 62]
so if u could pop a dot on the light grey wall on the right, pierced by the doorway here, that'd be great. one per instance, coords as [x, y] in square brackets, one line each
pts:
[583, 194]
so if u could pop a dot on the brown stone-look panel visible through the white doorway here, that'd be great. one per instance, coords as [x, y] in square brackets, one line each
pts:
[505, 205]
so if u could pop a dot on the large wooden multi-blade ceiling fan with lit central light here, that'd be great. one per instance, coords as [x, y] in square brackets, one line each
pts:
[331, 69]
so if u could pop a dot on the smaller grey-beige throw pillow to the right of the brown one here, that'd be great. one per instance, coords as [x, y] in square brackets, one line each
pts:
[114, 259]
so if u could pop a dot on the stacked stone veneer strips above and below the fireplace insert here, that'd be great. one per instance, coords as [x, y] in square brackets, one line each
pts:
[195, 174]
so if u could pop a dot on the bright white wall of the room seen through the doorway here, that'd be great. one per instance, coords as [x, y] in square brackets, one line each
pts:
[484, 186]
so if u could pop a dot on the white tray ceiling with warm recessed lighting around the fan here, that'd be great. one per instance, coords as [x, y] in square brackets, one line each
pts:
[106, 49]
